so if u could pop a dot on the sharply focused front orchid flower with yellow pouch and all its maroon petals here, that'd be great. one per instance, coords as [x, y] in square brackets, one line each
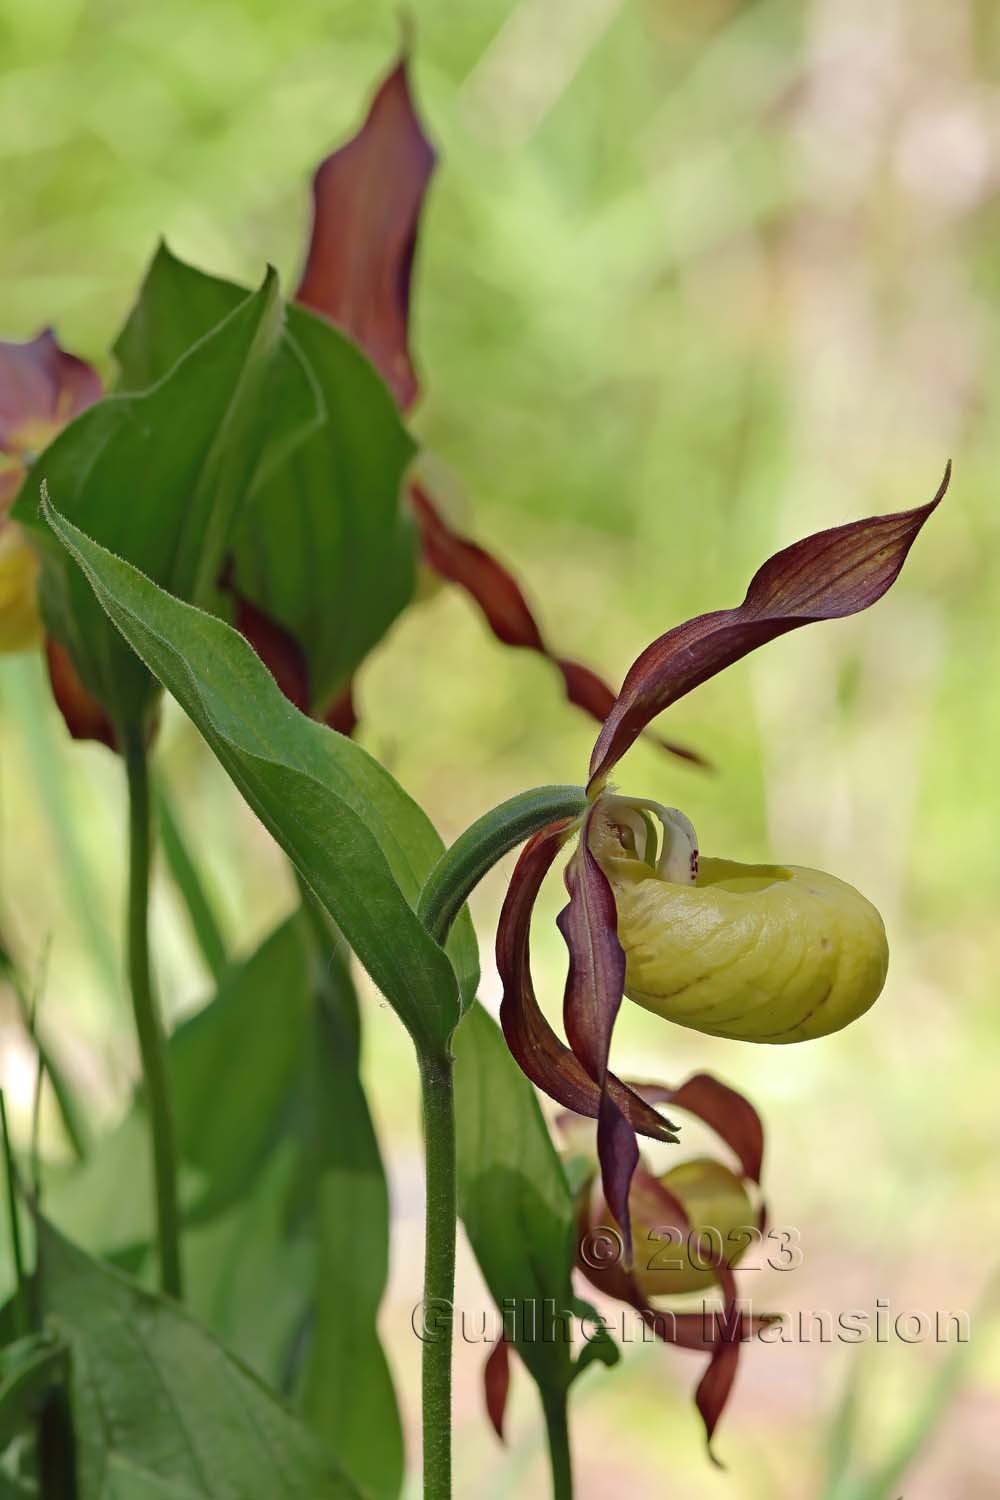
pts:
[762, 953]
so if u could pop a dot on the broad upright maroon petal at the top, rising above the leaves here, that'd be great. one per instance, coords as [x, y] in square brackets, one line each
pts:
[367, 209]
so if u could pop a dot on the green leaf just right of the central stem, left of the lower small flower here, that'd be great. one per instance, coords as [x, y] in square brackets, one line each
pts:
[515, 1201]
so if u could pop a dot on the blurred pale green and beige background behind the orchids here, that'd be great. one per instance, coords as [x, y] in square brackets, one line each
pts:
[692, 283]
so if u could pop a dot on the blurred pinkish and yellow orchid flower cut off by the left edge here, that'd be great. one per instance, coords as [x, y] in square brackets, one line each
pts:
[41, 391]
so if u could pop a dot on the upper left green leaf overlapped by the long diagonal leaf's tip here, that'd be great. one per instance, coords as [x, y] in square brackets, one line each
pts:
[160, 476]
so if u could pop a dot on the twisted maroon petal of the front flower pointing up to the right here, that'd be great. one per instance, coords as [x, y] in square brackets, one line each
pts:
[825, 577]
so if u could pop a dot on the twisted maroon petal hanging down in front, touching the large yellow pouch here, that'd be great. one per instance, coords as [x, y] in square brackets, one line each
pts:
[593, 998]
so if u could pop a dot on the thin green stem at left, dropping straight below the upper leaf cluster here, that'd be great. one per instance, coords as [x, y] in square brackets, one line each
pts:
[148, 1021]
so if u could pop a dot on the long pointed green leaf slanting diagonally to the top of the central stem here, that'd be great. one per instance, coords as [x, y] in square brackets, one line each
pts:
[362, 845]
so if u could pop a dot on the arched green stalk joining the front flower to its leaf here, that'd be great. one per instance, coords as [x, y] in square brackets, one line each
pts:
[484, 844]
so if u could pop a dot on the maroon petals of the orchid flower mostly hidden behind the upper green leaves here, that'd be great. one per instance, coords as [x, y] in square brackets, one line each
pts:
[368, 199]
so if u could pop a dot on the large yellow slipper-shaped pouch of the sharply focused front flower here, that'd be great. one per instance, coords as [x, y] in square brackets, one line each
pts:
[753, 952]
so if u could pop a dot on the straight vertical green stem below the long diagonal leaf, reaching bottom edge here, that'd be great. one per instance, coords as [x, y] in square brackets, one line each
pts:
[439, 1303]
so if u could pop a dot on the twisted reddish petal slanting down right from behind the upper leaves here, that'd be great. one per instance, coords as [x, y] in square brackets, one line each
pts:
[463, 562]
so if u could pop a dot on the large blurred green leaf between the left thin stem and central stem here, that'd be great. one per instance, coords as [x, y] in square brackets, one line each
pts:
[271, 1108]
